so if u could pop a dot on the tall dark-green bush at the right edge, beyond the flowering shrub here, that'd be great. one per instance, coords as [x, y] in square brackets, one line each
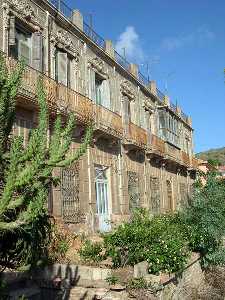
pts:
[206, 217]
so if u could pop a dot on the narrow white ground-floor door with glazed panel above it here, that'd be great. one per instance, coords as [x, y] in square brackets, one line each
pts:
[102, 198]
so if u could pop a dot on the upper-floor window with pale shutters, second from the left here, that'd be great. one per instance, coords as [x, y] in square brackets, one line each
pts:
[63, 68]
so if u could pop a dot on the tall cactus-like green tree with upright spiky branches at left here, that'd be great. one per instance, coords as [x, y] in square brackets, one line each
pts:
[26, 174]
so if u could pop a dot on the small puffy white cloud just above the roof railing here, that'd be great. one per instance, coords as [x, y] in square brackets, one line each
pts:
[130, 41]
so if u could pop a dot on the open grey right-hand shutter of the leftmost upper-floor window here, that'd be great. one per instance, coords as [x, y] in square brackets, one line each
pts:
[37, 54]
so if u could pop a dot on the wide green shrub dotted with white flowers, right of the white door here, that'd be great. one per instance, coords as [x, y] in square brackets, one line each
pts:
[158, 239]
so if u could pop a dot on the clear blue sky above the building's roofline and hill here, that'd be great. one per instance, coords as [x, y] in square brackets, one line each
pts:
[183, 42]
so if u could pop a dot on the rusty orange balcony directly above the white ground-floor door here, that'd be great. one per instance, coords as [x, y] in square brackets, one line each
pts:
[108, 121]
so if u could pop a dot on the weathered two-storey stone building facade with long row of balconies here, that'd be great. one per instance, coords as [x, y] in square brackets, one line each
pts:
[141, 154]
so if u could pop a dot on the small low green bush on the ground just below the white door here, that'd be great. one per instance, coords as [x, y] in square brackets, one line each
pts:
[92, 251]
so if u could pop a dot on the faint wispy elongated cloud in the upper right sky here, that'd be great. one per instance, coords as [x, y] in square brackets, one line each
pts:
[199, 36]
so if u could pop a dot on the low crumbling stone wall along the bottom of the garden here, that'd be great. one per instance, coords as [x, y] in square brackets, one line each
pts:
[73, 282]
